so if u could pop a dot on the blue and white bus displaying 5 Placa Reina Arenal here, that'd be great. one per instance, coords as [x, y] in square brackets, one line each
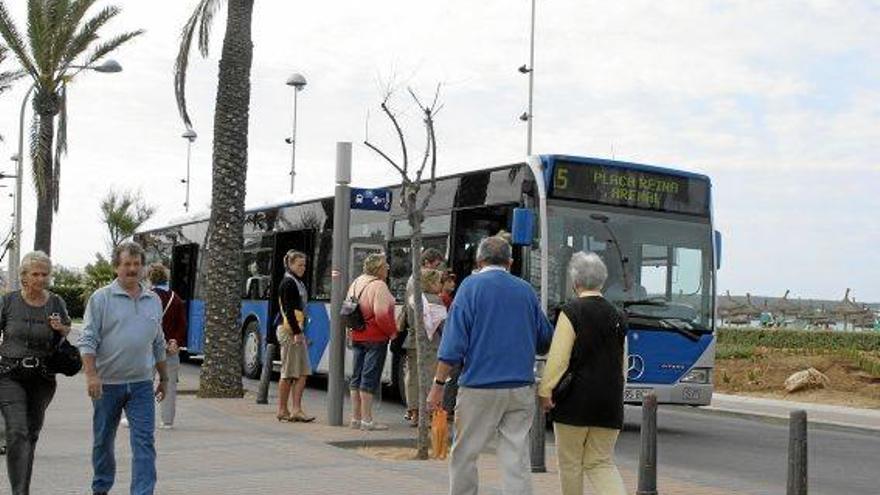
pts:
[651, 225]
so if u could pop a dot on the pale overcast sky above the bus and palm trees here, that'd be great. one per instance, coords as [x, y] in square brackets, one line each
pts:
[778, 102]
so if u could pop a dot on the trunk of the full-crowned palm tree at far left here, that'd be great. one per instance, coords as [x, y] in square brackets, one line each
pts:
[44, 172]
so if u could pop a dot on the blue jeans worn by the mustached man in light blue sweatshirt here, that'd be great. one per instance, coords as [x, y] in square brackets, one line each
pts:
[136, 399]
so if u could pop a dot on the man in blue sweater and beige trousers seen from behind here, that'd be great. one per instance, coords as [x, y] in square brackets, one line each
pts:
[494, 330]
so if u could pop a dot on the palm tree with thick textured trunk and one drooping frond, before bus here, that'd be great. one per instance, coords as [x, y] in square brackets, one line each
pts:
[221, 370]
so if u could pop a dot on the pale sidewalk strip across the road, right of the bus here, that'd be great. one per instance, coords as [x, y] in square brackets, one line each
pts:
[820, 414]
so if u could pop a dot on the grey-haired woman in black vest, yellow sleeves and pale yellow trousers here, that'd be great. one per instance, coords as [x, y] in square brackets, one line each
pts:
[589, 344]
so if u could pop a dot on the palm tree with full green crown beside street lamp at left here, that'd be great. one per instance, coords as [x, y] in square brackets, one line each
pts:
[61, 42]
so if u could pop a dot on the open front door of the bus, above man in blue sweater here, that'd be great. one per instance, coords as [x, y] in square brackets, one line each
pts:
[471, 226]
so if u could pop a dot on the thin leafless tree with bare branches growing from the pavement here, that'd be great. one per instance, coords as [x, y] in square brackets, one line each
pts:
[414, 202]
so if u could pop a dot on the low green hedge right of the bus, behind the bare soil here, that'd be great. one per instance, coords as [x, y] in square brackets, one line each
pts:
[800, 339]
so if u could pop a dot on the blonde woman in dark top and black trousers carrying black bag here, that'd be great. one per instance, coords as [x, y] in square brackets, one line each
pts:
[32, 322]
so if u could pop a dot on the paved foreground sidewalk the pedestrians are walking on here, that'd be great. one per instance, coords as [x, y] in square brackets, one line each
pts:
[237, 447]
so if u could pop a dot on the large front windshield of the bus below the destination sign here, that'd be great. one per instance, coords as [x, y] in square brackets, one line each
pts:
[659, 265]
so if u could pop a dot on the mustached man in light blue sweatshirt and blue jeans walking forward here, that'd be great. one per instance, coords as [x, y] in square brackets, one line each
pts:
[122, 344]
